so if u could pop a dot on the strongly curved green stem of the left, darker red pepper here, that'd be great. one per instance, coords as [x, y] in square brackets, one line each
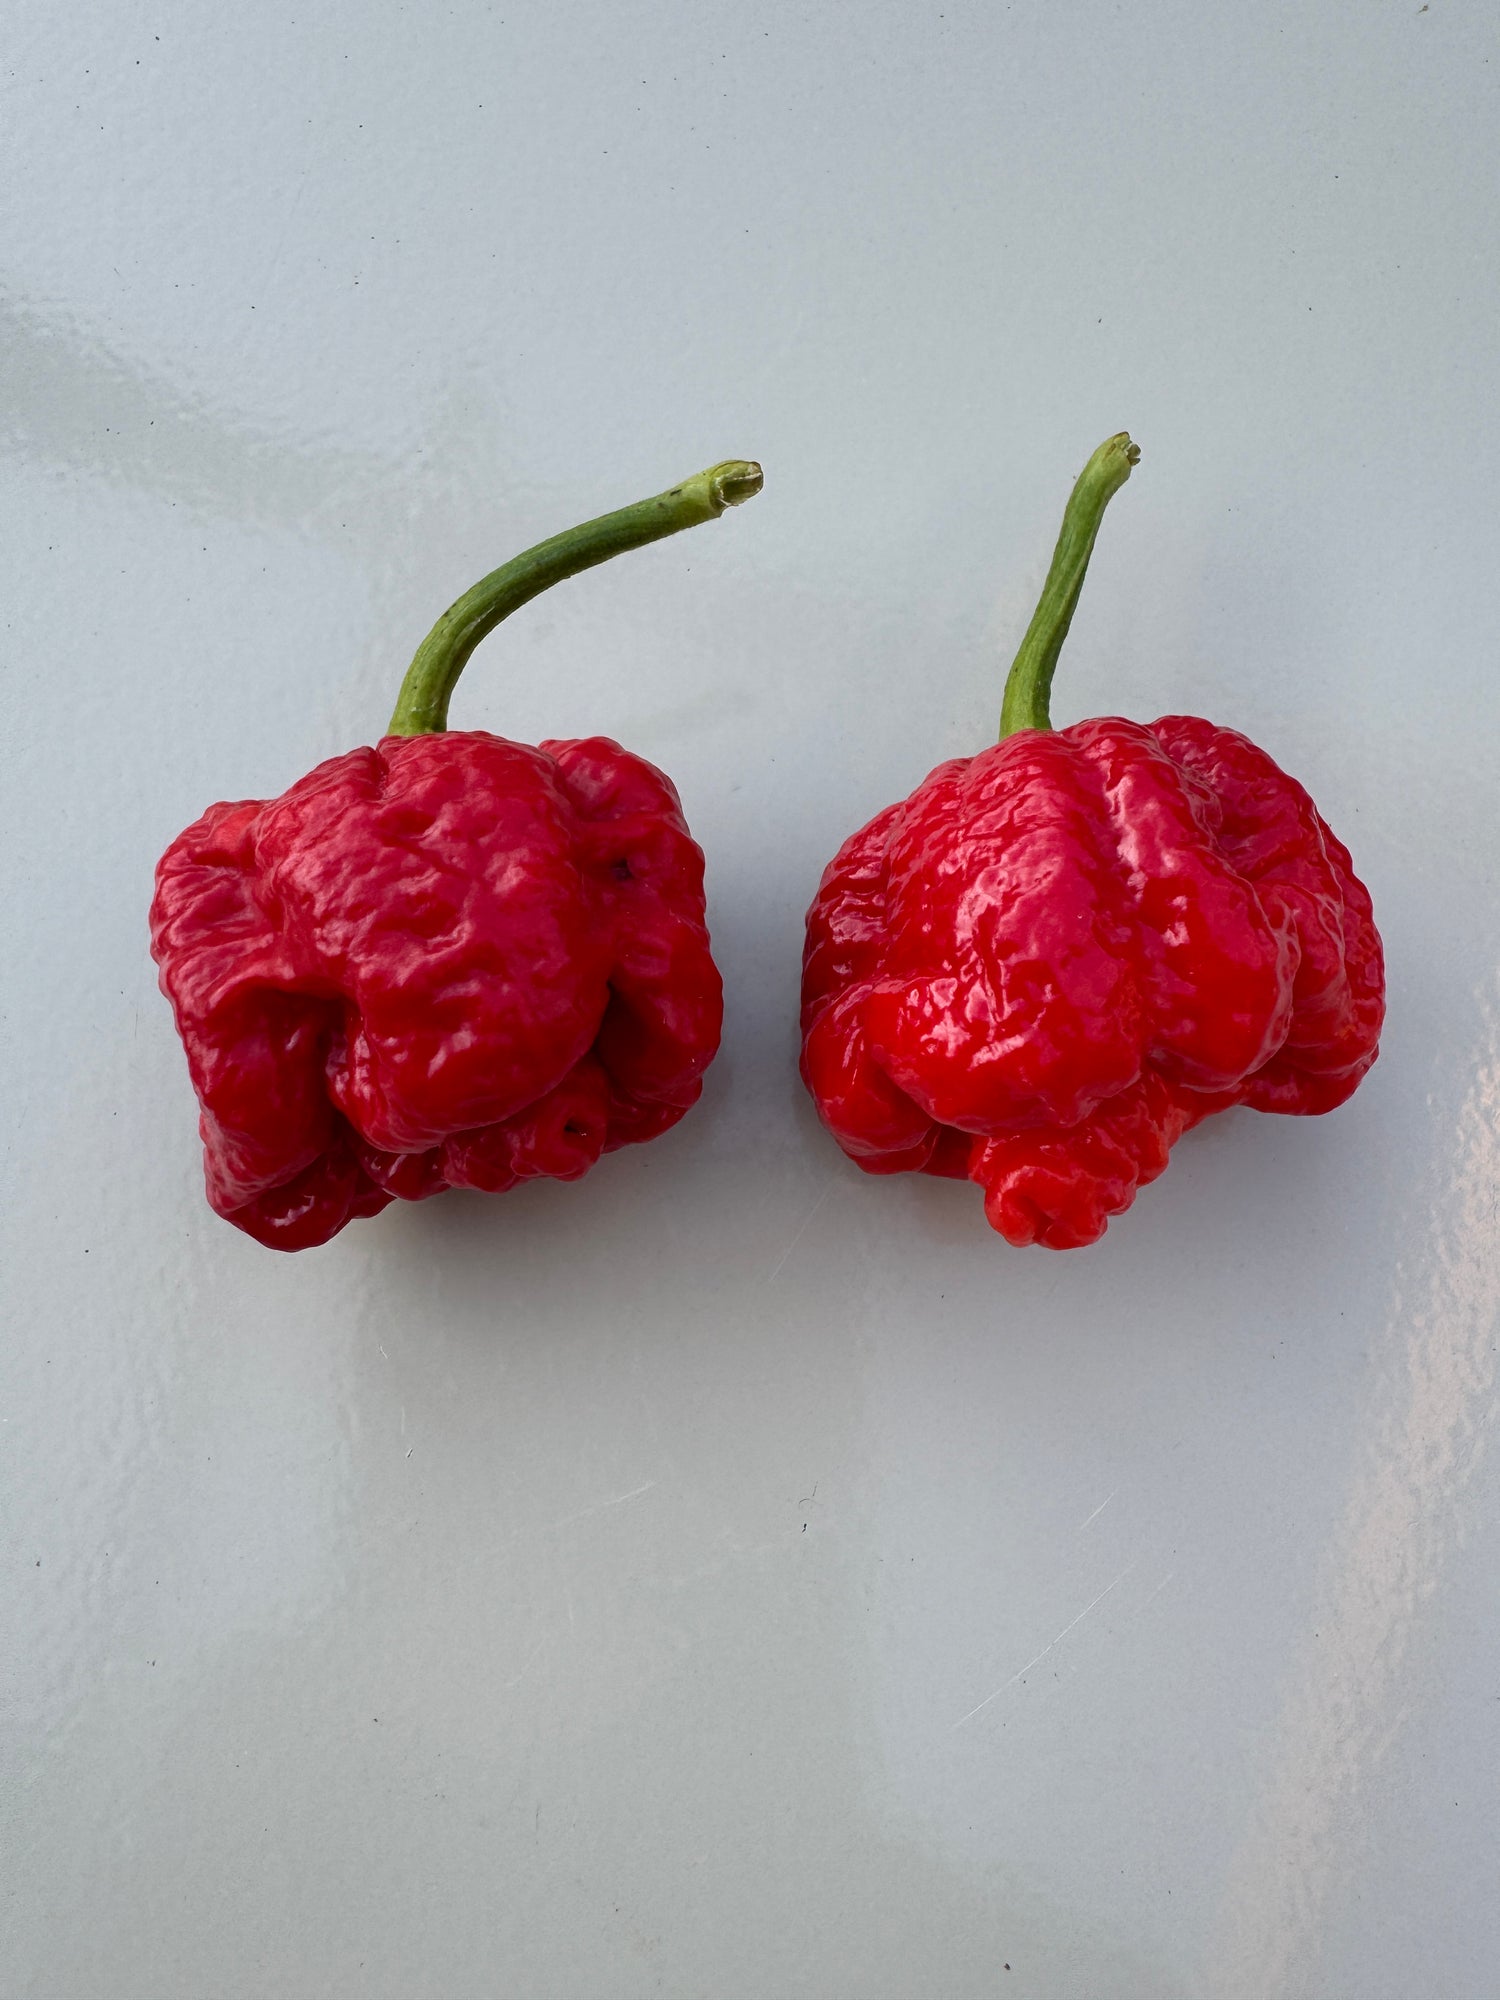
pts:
[443, 655]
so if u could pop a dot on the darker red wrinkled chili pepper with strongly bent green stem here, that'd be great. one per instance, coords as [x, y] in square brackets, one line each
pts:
[451, 961]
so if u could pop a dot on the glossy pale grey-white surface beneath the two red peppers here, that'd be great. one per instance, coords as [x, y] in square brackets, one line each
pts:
[731, 1577]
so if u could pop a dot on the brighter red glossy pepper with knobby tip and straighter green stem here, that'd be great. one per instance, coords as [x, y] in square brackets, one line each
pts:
[1053, 959]
